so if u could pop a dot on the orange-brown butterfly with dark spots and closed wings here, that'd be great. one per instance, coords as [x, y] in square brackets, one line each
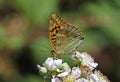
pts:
[64, 37]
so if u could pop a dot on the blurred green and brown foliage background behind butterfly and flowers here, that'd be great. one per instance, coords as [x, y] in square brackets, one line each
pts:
[24, 35]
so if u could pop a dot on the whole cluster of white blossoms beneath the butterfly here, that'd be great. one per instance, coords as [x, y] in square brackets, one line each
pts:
[84, 71]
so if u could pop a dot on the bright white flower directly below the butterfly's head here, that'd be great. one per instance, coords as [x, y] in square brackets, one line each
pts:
[52, 64]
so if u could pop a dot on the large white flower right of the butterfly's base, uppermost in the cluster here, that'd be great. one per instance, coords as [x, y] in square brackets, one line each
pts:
[85, 59]
